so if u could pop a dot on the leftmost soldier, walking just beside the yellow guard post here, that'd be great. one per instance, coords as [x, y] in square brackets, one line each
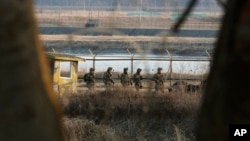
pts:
[89, 78]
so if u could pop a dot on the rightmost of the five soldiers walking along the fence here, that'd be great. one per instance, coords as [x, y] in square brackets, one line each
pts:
[159, 83]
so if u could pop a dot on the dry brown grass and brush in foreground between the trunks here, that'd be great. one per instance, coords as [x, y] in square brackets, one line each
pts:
[127, 115]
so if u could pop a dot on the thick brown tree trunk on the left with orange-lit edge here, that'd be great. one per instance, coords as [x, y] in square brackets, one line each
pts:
[28, 106]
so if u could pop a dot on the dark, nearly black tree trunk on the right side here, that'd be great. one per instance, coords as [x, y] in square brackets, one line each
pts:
[227, 97]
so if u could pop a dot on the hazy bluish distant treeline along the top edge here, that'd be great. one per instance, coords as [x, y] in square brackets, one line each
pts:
[125, 3]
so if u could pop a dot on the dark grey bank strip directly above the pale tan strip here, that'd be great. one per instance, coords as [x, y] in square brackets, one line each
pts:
[126, 31]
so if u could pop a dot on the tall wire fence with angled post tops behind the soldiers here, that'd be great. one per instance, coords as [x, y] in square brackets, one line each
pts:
[131, 62]
